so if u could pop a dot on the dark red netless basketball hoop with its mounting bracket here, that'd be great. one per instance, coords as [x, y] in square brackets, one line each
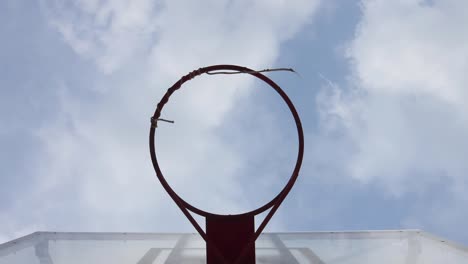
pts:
[229, 238]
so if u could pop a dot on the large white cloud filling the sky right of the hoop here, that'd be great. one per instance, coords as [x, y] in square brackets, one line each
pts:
[405, 116]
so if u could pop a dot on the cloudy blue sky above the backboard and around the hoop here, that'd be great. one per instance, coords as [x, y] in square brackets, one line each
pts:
[380, 89]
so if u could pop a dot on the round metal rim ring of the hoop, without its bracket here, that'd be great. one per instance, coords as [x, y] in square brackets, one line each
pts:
[181, 202]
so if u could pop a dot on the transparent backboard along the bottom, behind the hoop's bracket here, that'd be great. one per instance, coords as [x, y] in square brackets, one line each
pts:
[407, 246]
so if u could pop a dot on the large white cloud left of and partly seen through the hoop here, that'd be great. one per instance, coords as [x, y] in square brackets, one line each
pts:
[95, 169]
